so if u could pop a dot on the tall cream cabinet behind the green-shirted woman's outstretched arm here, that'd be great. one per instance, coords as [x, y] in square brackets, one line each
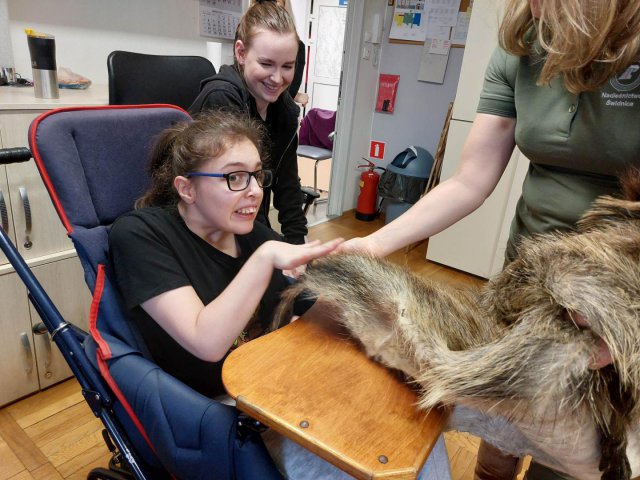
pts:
[476, 243]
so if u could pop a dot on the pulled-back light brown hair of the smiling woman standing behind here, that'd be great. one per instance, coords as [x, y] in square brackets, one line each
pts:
[265, 15]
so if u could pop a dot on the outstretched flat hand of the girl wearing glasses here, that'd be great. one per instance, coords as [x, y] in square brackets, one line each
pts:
[285, 256]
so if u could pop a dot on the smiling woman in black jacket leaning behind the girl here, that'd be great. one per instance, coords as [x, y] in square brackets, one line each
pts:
[265, 51]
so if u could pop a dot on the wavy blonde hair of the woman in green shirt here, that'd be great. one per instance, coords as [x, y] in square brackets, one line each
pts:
[585, 42]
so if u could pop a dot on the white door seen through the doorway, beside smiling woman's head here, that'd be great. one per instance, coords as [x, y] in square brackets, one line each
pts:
[325, 50]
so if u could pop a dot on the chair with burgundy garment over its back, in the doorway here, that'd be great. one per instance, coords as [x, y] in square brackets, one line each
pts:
[316, 139]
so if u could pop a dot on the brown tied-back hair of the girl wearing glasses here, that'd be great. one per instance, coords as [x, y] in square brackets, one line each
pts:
[185, 146]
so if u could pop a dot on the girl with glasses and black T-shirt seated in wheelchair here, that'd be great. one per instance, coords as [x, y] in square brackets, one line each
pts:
[197, 275]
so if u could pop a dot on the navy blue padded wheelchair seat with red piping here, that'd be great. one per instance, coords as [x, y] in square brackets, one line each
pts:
[93, 162]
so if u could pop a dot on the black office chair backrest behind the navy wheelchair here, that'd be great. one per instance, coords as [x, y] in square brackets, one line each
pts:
[138, 78]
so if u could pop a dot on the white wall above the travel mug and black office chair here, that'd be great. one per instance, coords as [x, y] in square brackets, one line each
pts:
[87, 31]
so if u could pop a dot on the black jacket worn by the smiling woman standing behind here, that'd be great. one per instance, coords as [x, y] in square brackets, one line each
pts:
[227, 89]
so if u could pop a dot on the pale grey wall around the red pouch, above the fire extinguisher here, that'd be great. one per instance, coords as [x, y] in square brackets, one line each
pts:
[420, 108]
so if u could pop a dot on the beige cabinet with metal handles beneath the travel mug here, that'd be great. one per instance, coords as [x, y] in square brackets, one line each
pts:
[29, 361]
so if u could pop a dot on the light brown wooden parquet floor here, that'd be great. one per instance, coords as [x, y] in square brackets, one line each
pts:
[53, 435]
